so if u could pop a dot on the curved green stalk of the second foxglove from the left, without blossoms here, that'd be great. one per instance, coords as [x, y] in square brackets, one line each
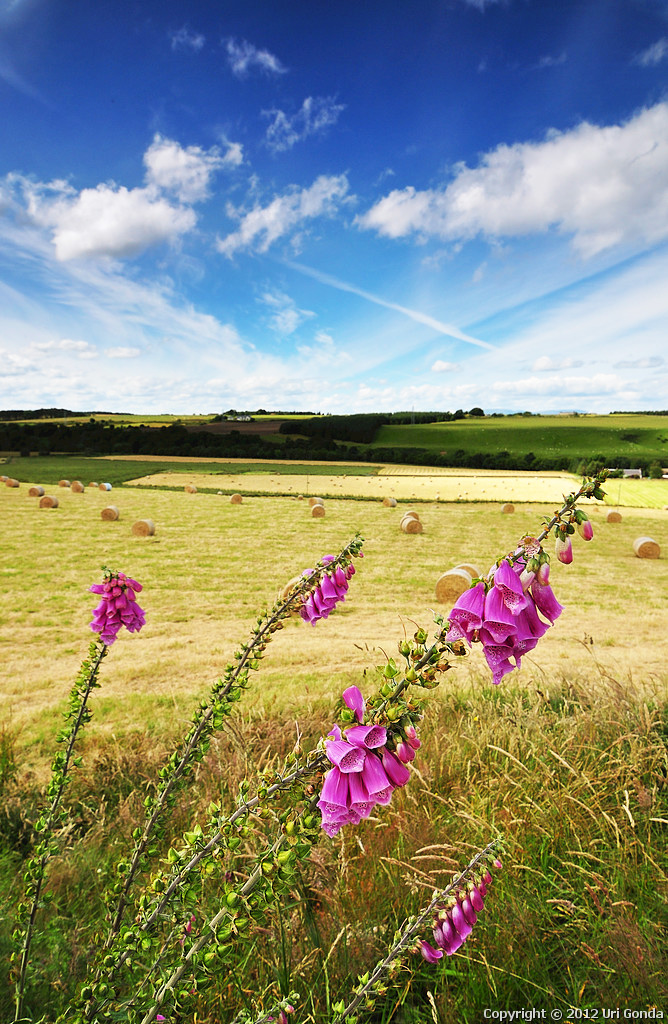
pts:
[224, 695]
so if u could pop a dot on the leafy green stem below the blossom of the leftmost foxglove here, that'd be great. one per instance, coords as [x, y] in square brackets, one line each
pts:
[60, 780]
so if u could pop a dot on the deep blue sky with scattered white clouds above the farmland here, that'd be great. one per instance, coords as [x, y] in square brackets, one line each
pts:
[335, 207]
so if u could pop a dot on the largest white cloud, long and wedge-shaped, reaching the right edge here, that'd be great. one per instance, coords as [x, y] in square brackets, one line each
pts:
[602, 186]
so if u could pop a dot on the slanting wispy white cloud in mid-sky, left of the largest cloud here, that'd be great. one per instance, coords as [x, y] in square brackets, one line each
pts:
[265, 225]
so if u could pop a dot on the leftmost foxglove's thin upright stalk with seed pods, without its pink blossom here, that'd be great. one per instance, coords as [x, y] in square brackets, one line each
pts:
[54, 819]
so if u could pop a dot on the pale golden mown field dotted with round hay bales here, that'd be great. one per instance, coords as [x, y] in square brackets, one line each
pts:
[213, 567]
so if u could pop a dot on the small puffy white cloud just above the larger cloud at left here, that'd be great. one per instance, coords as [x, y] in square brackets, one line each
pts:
[186, 173]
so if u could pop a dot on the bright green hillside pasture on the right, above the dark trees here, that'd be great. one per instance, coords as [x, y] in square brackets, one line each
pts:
[630, 438]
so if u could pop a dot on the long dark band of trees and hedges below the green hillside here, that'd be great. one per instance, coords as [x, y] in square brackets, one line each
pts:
[93, 439]
